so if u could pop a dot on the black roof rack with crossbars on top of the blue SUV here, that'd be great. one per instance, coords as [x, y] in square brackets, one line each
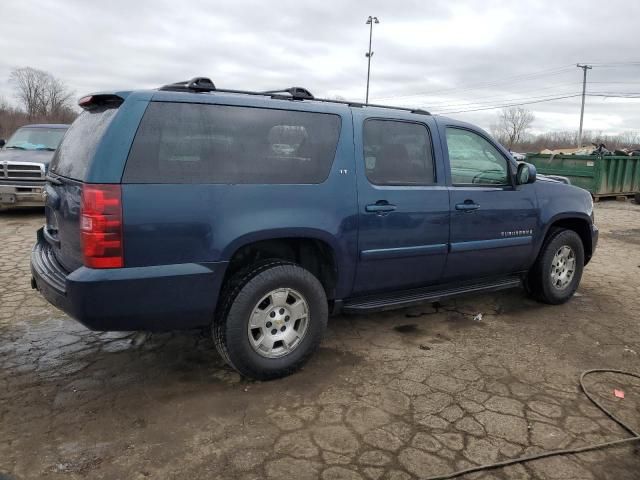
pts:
[204, 84]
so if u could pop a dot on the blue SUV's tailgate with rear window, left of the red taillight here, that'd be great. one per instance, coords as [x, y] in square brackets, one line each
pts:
[63, 191]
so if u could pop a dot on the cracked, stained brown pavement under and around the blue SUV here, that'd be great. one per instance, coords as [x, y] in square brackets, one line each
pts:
[394, 396]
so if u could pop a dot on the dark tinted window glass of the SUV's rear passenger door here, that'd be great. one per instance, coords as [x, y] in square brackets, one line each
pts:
[397, 153]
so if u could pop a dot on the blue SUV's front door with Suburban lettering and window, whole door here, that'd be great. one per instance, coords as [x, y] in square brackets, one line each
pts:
[493, 221]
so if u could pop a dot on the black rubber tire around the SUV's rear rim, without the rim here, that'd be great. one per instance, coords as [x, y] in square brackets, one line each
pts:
[240, 297]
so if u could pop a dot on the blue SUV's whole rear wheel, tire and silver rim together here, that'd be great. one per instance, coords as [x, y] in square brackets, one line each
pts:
[272, 321]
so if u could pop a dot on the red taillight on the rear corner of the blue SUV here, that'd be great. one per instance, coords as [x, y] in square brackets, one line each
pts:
[101, 226]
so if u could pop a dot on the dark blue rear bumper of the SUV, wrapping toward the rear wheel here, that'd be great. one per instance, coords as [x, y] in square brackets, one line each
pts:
[156, 298]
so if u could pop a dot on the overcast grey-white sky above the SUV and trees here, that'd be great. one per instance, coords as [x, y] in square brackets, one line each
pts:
[446, 56]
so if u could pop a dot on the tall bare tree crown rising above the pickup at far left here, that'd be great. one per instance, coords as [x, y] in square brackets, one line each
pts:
[40, 93]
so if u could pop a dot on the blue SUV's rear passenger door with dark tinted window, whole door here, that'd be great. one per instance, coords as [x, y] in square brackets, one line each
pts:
[403, 203]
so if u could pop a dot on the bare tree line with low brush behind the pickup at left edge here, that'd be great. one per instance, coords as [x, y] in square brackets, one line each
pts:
[41, 98]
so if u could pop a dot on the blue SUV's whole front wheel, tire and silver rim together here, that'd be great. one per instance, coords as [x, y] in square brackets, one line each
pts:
[556, 274]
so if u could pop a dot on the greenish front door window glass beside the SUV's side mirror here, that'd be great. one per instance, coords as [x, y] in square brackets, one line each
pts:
[474, 161]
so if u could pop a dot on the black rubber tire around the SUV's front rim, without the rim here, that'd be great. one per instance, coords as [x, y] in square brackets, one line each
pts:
[539, 281]
